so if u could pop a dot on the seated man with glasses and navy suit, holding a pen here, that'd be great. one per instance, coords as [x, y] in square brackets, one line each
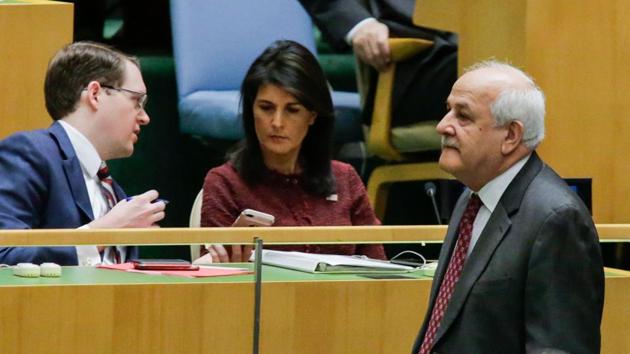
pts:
[57, 178]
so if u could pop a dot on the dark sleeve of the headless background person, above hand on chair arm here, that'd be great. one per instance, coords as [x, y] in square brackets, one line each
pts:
[335, 18]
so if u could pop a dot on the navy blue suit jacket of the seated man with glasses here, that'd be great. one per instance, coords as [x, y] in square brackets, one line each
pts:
[42, 187]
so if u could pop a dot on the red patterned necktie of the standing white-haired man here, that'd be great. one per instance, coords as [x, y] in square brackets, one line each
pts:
[453, 272]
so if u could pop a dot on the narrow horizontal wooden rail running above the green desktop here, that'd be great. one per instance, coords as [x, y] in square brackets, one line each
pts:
[241, 235]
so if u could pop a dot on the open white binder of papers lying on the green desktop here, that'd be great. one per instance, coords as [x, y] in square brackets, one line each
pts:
[330, 263]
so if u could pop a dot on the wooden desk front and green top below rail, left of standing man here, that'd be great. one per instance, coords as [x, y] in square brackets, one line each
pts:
[104, 311]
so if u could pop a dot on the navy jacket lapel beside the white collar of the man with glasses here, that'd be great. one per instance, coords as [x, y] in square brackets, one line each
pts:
[72, 169]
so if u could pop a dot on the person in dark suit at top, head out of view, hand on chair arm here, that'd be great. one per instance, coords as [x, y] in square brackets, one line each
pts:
[421, 83]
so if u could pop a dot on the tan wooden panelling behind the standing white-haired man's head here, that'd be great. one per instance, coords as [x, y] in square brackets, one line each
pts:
[577, 52]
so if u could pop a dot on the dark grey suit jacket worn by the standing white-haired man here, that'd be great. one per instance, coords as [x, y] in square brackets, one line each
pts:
[534, 280]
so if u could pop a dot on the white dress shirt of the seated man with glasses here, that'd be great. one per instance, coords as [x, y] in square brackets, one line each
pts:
[90, 162]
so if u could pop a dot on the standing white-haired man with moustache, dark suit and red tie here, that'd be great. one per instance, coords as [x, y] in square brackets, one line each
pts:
[520, 269]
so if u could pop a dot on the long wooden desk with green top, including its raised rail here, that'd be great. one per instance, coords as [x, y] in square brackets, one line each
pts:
[112, 312]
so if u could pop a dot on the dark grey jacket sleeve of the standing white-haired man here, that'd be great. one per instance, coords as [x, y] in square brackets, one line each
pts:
[565, 285]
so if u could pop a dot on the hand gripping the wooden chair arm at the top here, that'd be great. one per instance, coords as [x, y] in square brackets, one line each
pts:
[370, 44]
